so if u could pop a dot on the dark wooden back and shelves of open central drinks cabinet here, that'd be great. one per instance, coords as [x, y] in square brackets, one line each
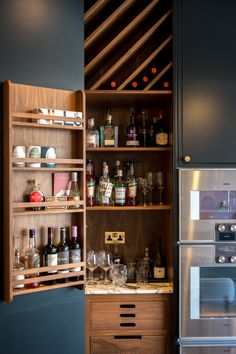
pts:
[142, 225]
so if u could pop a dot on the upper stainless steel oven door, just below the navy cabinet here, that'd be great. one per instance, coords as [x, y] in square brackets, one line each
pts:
[205, 197]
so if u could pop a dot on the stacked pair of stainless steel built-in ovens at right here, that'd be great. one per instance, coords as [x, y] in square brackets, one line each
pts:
[207, 259]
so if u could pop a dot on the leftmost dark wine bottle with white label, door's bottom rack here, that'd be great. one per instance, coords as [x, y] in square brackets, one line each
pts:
[50, 257]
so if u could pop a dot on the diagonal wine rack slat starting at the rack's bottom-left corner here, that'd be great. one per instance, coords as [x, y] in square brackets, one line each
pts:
[130, 52]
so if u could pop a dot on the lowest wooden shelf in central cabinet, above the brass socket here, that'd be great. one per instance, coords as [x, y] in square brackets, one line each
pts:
[128, 208]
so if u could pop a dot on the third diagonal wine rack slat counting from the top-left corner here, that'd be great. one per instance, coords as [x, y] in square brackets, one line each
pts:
[114, 42]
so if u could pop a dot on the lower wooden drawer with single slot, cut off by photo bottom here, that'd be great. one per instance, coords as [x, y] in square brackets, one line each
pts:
[128, 345]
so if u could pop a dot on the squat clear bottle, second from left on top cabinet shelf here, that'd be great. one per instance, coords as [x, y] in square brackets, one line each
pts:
[109, 133]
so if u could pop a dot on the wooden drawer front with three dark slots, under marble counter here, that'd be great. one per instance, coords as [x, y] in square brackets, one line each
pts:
[132, 315]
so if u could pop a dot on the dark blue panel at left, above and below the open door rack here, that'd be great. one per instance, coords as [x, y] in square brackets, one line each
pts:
[41, 43]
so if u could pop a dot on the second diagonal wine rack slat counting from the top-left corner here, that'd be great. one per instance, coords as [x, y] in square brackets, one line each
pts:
[115, 16]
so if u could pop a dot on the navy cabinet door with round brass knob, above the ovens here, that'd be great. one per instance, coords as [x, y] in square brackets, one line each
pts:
[206, 81]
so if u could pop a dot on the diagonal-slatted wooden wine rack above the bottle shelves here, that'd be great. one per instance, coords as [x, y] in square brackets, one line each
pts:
[126, 41]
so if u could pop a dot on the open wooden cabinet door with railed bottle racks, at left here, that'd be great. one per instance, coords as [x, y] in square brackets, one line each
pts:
[21, 127]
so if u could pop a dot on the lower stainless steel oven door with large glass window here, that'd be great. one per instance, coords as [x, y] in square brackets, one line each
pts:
[207, 294]
